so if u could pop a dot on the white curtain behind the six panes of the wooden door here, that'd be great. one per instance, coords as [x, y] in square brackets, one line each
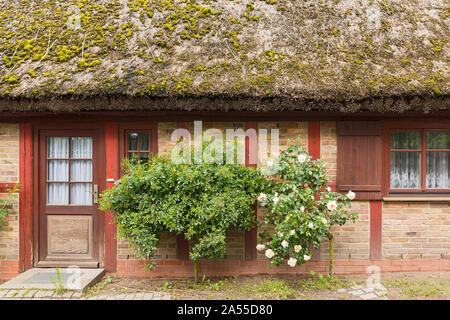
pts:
[80, 171]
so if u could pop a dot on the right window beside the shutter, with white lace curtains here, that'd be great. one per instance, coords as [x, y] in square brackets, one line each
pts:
[420, 161]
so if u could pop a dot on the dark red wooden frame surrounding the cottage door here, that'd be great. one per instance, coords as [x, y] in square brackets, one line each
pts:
[69, 125]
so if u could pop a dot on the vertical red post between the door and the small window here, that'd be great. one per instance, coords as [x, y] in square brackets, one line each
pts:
[112, 172]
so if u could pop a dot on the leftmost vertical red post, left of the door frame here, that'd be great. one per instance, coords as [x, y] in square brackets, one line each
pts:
[25, 196]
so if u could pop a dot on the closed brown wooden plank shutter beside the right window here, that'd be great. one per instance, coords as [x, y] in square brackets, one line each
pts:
[360, 158]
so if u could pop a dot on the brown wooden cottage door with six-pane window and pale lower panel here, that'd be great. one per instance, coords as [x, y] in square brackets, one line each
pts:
[69, 176]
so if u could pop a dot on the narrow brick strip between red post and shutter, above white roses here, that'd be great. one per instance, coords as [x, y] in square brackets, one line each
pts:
[328, 147]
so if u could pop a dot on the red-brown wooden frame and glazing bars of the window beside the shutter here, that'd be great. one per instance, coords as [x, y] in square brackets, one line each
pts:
[423, 190]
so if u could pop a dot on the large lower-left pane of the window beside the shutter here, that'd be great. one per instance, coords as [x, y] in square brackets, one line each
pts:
[405, 170]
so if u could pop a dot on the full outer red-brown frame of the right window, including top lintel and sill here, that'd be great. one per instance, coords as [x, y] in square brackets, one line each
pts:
[422, 129]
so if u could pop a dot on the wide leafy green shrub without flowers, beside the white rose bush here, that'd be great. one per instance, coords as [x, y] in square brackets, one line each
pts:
[199, 201]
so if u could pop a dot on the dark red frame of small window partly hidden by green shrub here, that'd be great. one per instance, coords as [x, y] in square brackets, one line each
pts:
[150, 127]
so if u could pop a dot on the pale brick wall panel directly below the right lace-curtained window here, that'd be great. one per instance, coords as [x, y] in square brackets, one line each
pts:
[416, 230]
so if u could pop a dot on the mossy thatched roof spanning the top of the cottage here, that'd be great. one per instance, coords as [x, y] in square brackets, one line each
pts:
[317, 54]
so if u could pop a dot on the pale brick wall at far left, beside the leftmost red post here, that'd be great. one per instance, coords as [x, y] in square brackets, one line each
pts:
[9, 173]
